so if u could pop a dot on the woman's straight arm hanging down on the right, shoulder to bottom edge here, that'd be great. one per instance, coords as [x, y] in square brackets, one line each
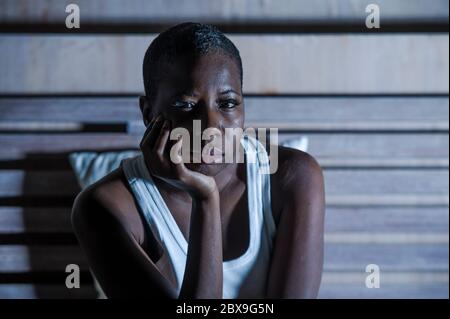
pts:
[297, 260]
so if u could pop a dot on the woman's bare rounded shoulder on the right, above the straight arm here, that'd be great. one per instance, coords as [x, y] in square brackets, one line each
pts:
[298, 179]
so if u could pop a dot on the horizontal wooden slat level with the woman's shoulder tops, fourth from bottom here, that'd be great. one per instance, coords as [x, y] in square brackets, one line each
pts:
[337, 182]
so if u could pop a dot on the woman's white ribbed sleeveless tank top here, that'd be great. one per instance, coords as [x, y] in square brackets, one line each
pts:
[243, 277]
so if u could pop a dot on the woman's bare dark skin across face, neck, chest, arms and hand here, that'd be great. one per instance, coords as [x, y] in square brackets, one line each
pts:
[208, 201]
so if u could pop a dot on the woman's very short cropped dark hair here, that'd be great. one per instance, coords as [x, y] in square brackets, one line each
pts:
[194, 39]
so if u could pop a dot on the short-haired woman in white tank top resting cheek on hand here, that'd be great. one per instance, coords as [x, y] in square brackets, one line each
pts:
[162, 227]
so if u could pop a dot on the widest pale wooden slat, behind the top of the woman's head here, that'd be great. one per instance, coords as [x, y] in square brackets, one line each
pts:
[360, 64]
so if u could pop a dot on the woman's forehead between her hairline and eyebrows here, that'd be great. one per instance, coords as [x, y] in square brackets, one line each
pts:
[210, 72]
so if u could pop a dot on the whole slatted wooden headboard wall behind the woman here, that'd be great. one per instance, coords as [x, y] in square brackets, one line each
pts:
[374, 107]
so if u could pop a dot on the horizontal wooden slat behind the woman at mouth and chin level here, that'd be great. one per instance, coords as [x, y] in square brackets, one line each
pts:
[321, 145]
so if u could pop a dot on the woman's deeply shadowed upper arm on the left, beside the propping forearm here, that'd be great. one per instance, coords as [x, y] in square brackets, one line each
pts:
[119, 263]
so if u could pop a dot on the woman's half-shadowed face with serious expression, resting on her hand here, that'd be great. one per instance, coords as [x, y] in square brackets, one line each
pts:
[206, 89]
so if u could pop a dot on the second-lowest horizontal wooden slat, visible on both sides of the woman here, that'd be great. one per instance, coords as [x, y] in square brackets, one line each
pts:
[338, 257]
